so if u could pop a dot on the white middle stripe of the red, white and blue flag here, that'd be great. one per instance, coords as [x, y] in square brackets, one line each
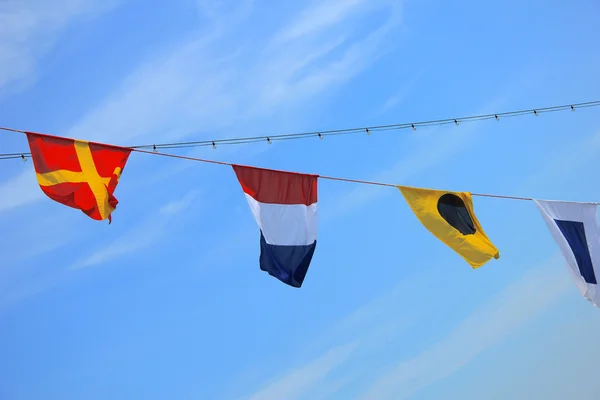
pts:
[285, 224]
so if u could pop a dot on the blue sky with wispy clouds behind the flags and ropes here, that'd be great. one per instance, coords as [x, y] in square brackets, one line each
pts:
[168, 302]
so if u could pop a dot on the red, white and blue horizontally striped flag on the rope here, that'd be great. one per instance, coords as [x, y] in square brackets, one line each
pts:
[284, 205]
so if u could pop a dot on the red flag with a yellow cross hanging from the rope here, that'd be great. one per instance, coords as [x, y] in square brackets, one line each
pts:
[77, 173]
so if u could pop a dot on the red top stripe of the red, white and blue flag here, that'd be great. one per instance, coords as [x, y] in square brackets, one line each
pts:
[277, 187]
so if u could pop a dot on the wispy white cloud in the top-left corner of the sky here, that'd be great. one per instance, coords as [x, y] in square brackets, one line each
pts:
[30, 28]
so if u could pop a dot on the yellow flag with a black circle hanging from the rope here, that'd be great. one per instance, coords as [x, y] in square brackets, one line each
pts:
[450, 217]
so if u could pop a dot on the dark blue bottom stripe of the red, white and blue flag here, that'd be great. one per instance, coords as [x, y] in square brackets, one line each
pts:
[289, 264]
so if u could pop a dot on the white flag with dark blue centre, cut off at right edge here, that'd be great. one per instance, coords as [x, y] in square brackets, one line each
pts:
[575, 229]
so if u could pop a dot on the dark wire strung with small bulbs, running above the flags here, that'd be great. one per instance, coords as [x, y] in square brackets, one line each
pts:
[336, 132]
